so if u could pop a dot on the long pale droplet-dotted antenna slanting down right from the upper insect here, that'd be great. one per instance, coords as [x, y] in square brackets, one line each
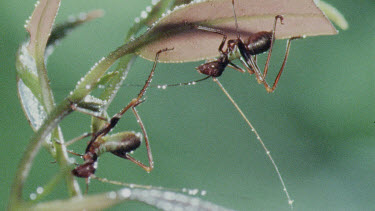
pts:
[290, 200]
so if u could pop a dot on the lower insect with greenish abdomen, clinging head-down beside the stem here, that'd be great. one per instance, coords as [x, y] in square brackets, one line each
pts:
[120, 144]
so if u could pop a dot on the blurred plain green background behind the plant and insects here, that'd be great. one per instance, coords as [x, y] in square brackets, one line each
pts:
[318, 125]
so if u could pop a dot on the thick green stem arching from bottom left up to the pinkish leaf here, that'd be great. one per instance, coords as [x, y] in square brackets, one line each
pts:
[83, 88]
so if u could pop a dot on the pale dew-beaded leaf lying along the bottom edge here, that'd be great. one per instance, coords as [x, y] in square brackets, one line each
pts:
[164, 200]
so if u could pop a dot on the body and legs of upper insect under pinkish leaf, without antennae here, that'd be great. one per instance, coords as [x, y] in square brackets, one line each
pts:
[246, 51]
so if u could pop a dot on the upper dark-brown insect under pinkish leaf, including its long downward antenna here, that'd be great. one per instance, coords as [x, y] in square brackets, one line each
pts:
[246, 51]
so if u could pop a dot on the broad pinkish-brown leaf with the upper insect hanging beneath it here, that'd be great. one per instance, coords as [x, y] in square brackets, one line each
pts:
[301, 18]
